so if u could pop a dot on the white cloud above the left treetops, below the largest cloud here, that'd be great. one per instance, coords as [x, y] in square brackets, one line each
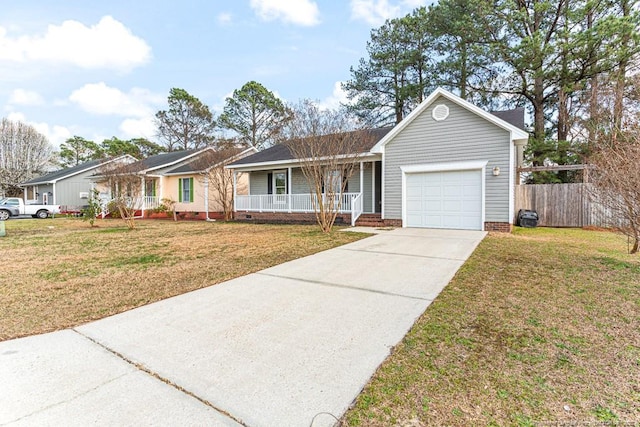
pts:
[98, 98]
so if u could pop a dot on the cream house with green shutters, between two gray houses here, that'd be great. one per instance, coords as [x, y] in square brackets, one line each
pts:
[179, 176]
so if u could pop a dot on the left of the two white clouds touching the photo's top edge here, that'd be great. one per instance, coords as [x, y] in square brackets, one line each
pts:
[299, 12]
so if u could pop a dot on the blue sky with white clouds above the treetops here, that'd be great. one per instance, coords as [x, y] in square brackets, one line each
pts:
[99, 69]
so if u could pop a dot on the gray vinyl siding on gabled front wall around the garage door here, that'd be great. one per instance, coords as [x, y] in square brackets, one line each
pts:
[463, 136]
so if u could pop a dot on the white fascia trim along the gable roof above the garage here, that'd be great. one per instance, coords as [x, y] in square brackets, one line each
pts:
[516, 133]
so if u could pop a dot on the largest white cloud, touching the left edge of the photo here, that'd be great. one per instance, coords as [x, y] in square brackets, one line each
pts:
[107, 44]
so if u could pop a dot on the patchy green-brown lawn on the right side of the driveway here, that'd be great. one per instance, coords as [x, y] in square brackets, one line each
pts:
[538, 328]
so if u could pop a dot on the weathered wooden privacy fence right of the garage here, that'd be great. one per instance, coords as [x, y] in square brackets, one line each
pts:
[562, 205]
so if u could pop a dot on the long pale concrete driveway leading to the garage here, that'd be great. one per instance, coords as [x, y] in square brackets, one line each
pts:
[291, 345]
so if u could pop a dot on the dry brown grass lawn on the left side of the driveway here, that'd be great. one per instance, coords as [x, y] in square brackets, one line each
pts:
[60, 273]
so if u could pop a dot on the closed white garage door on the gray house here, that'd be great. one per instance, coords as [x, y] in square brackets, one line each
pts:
[451, 199]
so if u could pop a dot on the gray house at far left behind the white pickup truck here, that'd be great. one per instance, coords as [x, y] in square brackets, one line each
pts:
[70, 188]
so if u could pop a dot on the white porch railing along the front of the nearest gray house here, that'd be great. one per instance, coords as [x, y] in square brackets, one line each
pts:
[349, 203]
